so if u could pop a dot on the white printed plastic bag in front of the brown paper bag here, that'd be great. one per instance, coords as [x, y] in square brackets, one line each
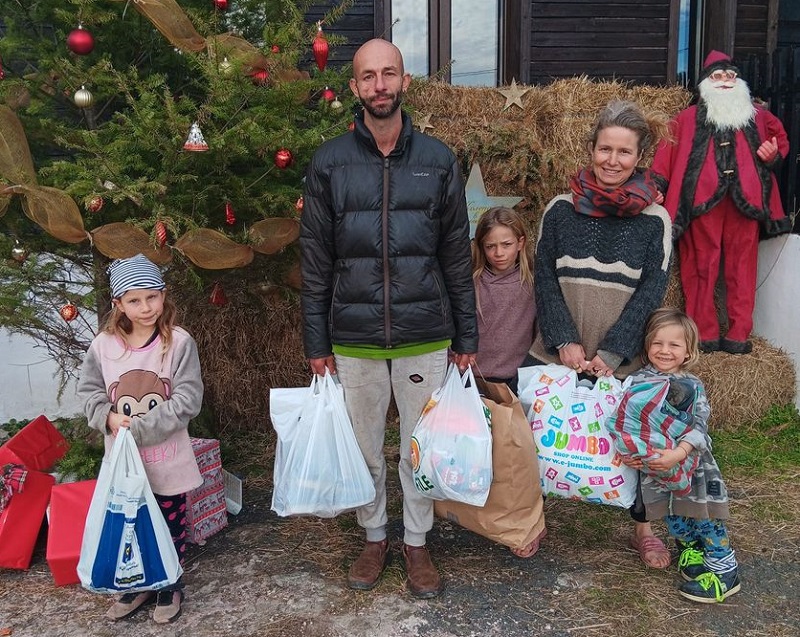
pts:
[451, 446]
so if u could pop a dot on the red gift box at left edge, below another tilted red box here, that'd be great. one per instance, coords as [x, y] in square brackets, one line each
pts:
[21, 520]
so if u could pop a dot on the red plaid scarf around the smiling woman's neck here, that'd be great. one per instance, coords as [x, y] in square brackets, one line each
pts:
[628, 200]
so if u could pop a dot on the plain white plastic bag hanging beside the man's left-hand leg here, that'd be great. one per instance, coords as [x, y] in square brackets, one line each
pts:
[319, 469]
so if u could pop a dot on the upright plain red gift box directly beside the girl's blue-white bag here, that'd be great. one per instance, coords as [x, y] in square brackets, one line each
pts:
[69, 505]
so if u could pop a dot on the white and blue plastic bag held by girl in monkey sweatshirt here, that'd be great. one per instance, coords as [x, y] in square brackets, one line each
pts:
[126, 543]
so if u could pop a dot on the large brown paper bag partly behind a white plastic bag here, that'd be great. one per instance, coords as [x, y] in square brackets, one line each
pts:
[514, 512]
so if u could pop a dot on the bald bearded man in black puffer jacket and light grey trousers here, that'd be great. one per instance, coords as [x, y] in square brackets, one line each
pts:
[387, 290]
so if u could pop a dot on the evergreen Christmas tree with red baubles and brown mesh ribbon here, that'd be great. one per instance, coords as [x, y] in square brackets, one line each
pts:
[177, 128]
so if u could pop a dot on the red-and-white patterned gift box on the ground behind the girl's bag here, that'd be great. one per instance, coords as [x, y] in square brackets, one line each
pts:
[206, 511]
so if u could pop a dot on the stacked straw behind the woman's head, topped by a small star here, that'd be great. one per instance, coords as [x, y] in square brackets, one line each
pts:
[532, 152]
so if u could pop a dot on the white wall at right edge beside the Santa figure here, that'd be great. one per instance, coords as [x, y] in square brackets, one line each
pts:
[777, 314]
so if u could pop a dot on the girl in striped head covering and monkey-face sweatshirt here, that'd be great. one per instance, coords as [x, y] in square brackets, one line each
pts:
[142, 372]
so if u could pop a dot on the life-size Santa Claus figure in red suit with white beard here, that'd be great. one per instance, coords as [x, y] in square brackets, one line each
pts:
[717, 173]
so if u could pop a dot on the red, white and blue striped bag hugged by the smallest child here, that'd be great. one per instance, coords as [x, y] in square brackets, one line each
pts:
[646, 423]
